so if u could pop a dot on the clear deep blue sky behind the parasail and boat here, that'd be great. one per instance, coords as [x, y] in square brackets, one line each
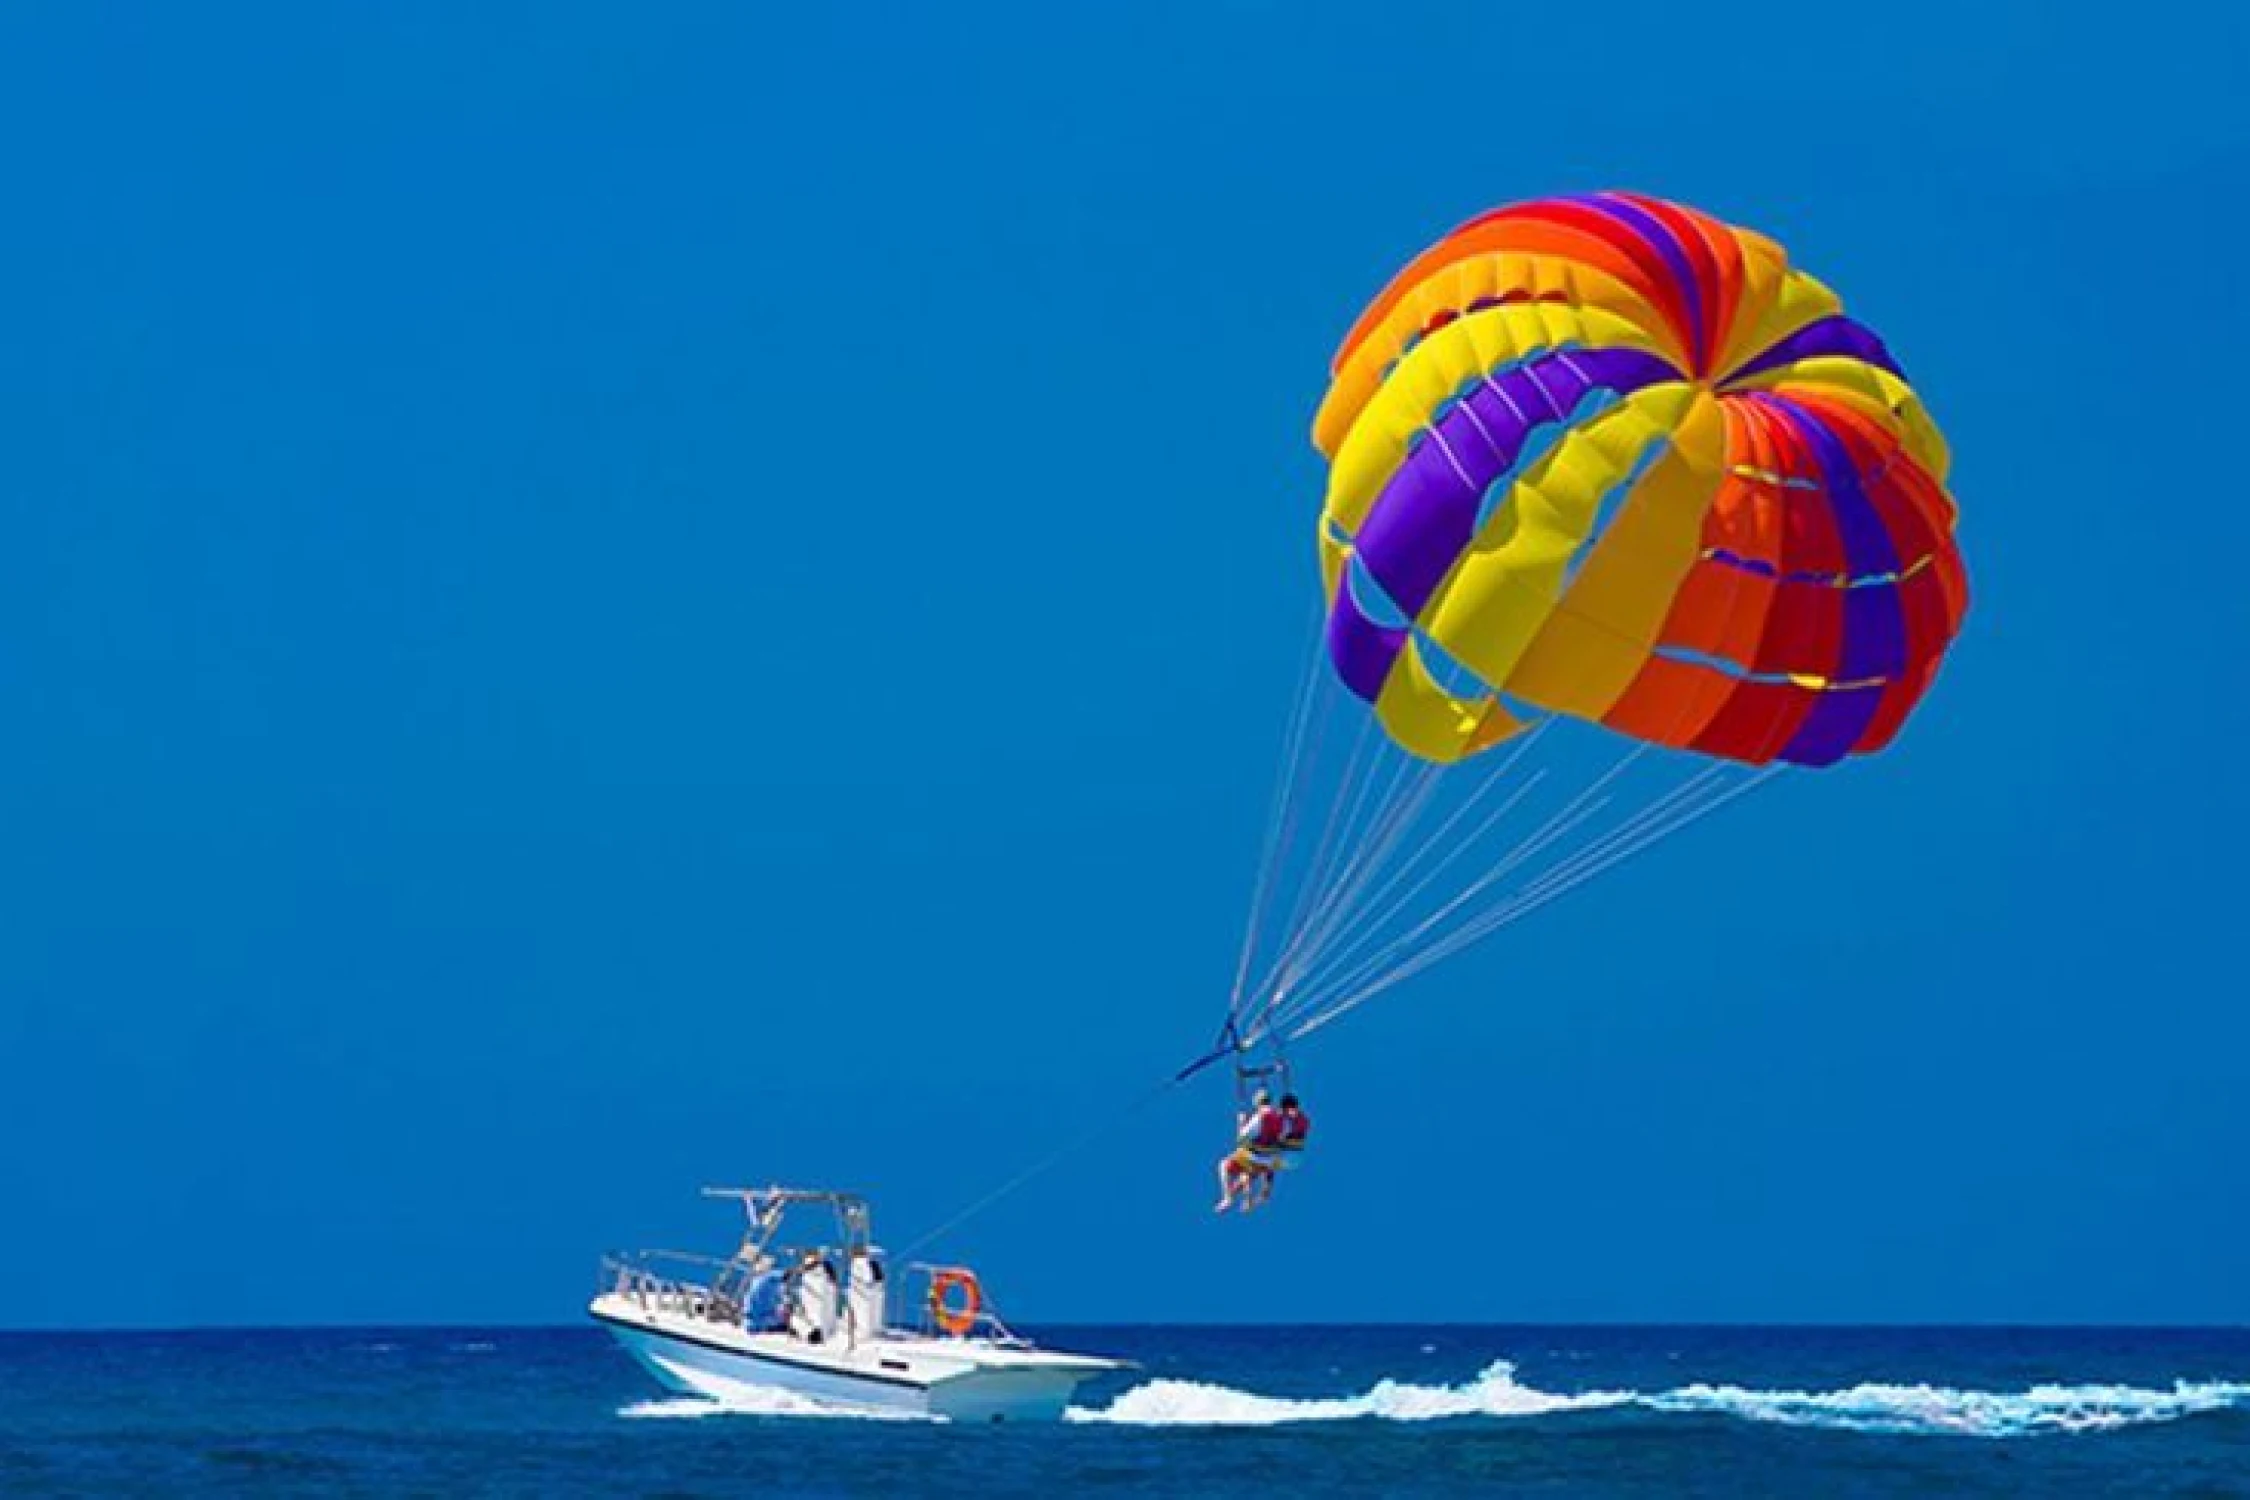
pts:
[519, 530]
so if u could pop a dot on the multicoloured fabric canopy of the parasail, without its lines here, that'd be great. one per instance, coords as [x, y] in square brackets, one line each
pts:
[1617, 460]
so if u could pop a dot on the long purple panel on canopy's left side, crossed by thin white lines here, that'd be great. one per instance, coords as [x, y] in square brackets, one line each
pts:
[1428, 514]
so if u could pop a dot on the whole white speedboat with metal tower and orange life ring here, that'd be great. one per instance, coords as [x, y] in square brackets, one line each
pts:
[816, 1321]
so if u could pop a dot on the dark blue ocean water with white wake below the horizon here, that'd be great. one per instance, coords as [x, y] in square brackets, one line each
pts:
[1281, 1413]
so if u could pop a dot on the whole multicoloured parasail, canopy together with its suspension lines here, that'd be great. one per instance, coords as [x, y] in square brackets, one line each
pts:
[1617, 487]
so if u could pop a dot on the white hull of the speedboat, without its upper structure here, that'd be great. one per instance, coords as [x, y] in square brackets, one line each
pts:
[960, 1380]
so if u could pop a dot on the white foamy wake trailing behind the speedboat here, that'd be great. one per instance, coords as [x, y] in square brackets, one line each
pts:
[1860, 1409]
